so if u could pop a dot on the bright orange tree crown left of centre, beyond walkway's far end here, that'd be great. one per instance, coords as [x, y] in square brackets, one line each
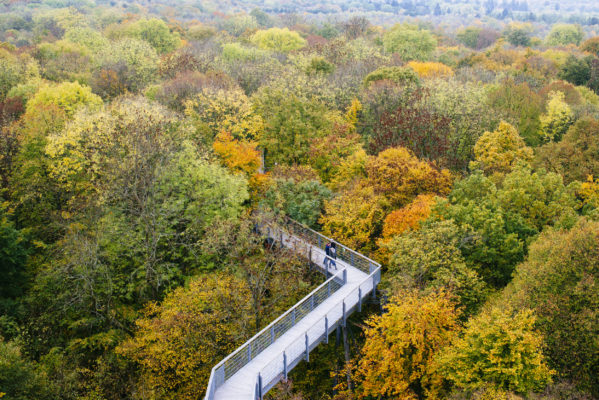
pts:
[237, 155]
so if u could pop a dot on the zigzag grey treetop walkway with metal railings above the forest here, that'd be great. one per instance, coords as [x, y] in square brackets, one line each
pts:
[259, 364]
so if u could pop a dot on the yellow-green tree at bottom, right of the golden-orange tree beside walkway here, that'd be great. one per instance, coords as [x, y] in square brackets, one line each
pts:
[500, 347]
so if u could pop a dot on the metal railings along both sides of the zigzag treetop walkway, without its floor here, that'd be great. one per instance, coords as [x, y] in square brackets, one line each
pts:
[248, 351]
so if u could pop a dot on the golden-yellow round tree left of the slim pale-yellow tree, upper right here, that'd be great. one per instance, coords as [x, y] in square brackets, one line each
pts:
[499, 151]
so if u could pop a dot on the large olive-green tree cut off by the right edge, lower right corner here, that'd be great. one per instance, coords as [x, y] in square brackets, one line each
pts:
[558, 280]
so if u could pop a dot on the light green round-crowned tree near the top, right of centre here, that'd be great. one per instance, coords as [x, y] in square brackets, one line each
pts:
[410, 42]
